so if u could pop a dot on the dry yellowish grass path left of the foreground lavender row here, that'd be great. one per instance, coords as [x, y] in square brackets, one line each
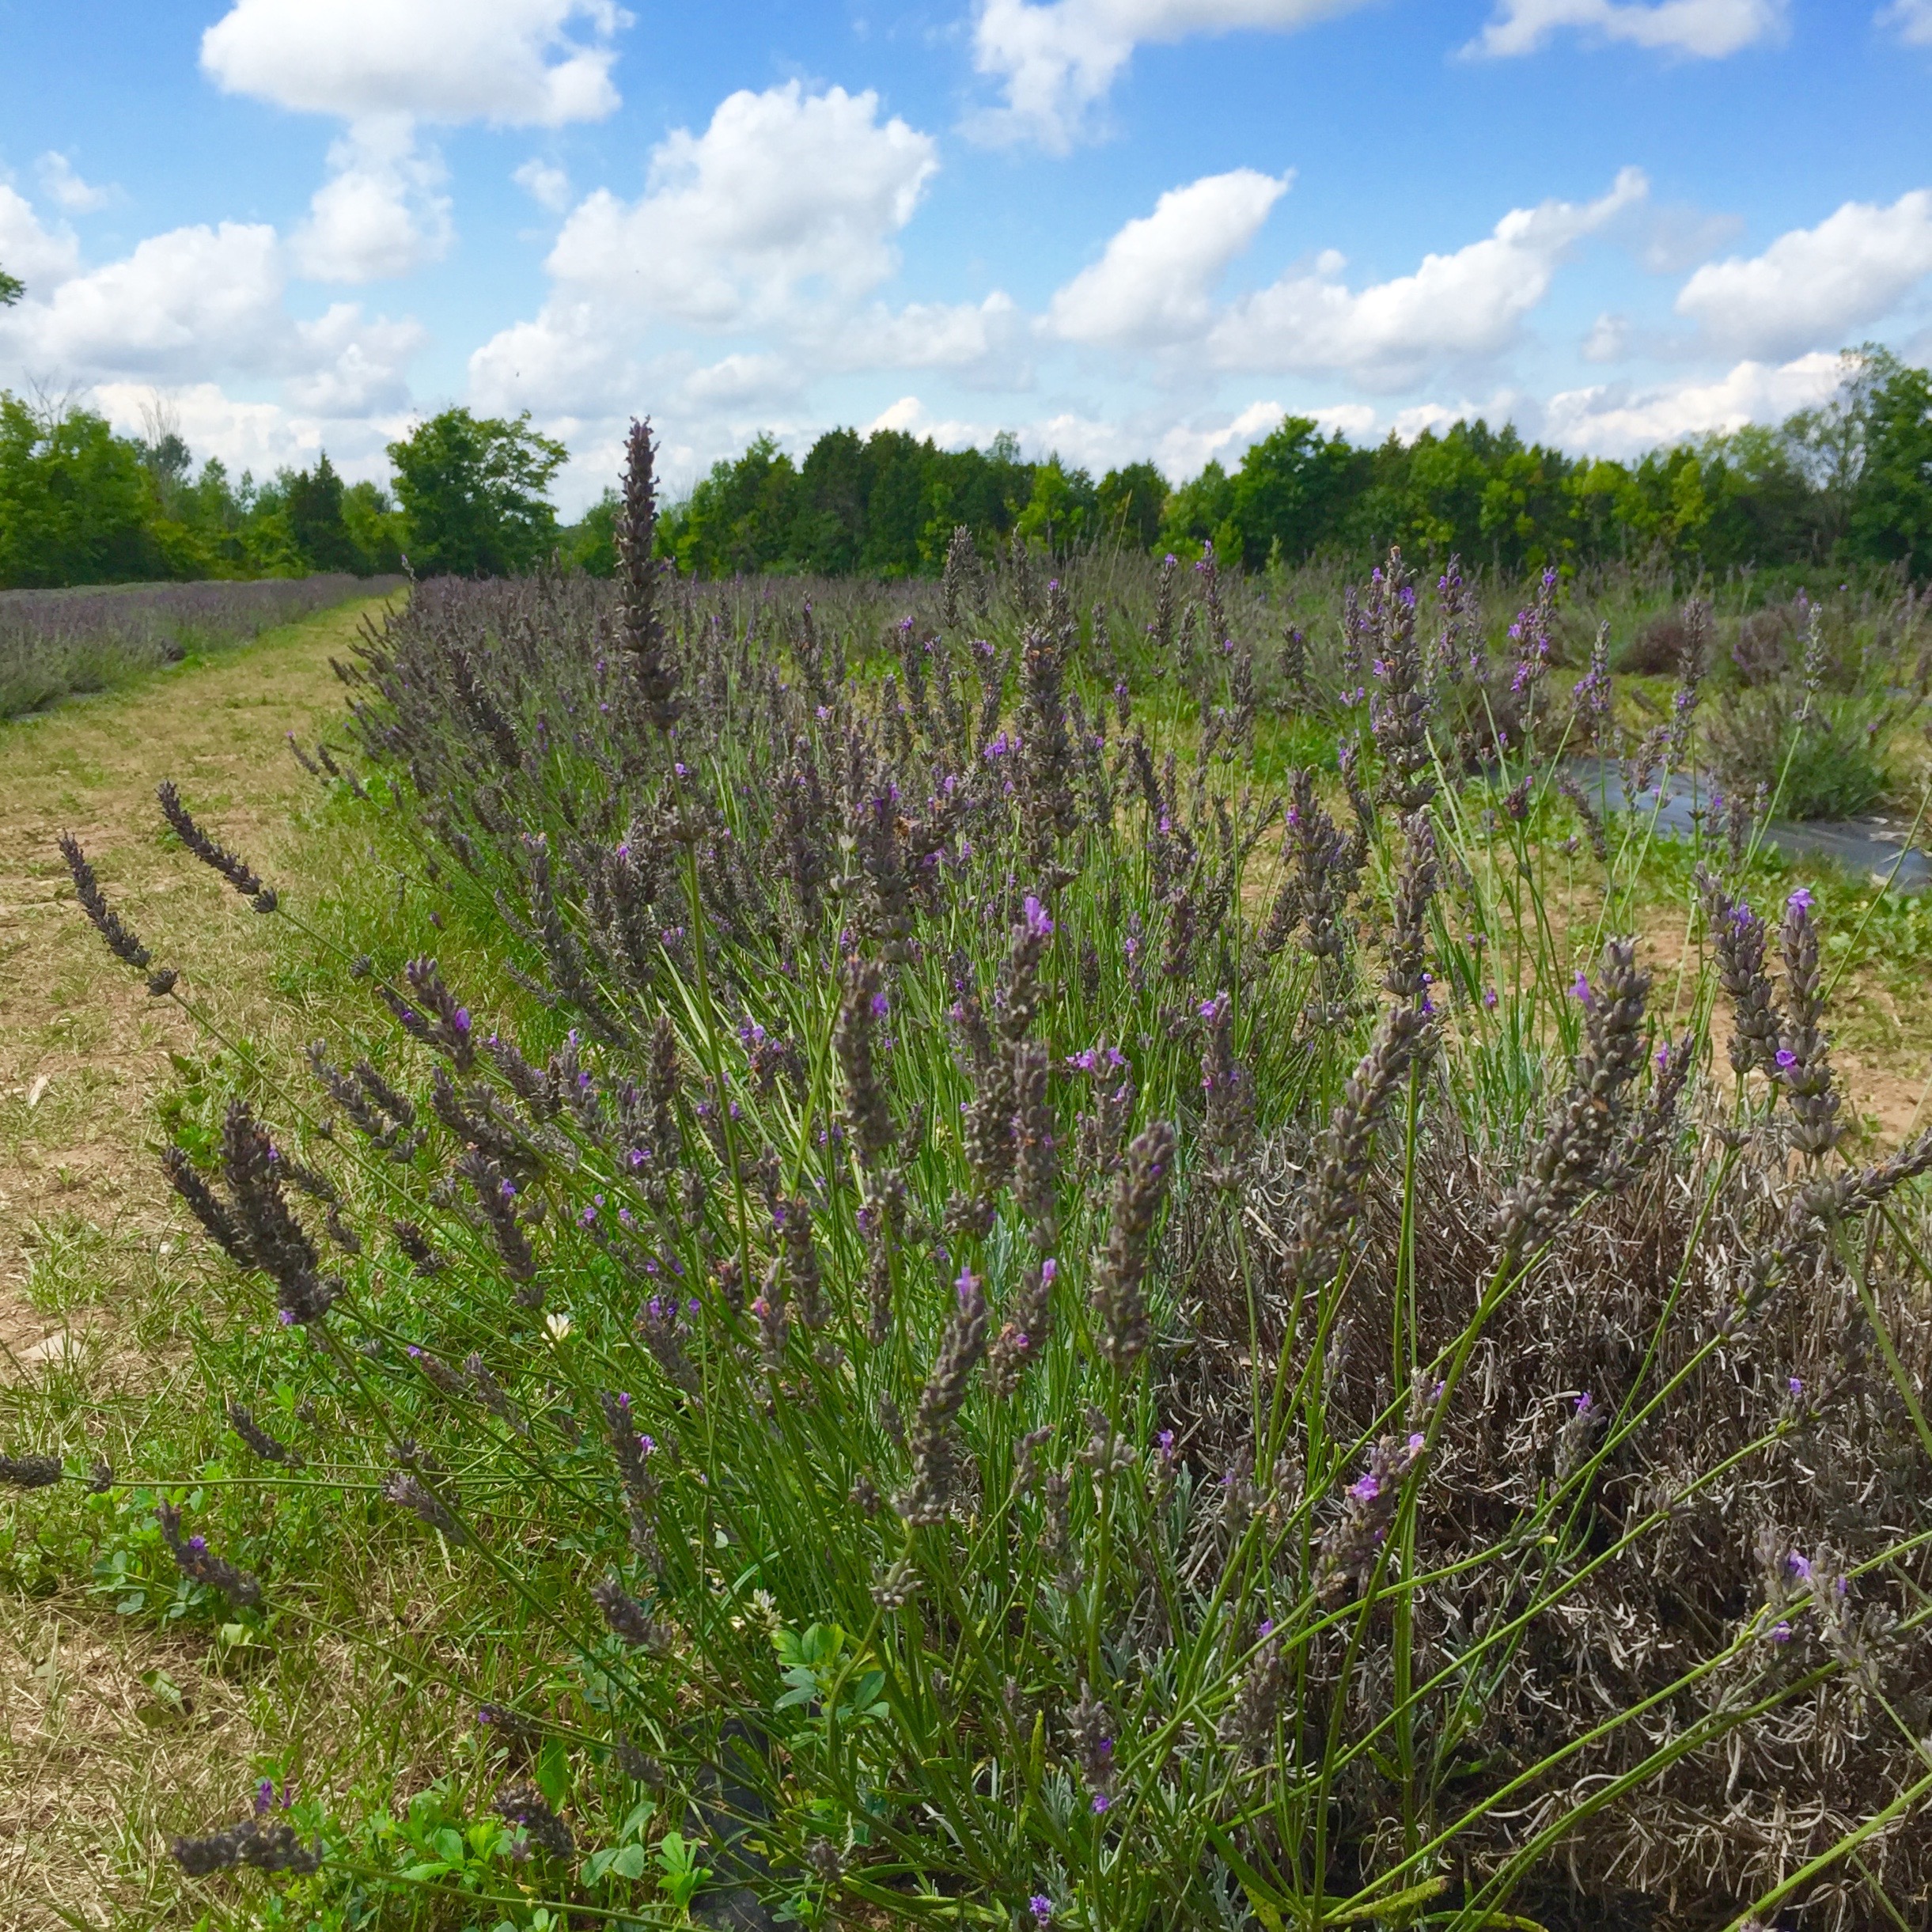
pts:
[109, 1734]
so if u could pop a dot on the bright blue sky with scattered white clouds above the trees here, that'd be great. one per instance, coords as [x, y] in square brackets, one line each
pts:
[1116, 227]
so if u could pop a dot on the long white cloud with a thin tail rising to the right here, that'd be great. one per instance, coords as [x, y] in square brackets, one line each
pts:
[1454, 308]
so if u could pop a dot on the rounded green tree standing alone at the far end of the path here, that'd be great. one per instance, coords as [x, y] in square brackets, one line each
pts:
[474, 494]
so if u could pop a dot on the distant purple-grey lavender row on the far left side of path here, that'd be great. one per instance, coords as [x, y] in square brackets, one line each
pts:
[84, 640]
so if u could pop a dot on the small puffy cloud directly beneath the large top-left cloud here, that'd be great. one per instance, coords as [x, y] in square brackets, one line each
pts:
[380, 213]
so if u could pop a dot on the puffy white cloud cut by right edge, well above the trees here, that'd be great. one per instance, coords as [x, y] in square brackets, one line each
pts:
[1815, 287]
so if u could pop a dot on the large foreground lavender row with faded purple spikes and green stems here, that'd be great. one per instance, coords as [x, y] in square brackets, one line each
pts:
[1033, 1330]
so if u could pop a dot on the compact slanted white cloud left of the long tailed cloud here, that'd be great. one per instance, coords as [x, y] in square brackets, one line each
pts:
[1158, 275]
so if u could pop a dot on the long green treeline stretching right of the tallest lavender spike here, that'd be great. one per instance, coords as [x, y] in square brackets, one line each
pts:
[1844, 484]
